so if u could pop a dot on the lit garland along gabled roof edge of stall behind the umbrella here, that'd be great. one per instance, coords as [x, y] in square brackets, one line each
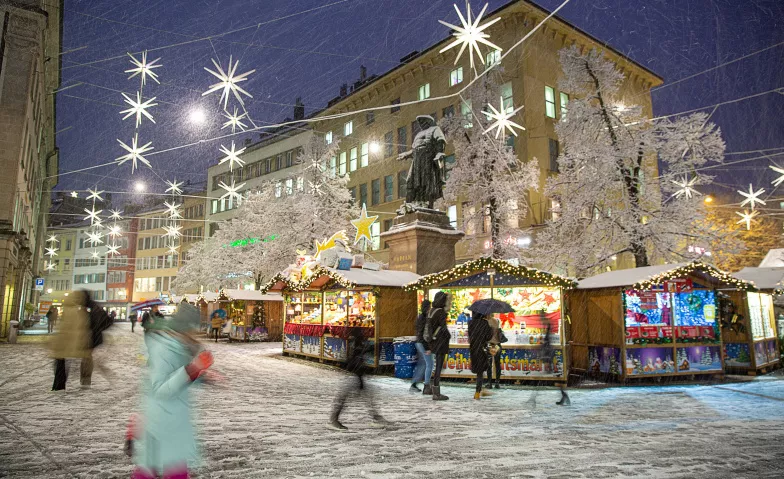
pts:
[484, 263]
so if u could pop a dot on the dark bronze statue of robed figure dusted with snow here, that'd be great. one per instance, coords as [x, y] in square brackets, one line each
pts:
[426, 177]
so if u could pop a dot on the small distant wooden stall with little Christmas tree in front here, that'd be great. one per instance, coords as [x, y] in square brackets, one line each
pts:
[254, 316]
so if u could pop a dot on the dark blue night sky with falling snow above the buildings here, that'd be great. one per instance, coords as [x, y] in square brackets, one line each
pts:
[311, 54]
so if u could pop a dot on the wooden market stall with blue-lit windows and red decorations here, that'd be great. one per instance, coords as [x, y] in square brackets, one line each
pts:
[651, 321]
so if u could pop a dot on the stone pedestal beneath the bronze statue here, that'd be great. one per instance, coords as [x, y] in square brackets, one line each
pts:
[422, 241]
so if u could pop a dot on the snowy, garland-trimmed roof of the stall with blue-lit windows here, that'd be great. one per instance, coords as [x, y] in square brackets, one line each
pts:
[647, 276]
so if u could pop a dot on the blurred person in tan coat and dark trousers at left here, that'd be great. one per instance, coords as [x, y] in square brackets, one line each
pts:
[73, 338]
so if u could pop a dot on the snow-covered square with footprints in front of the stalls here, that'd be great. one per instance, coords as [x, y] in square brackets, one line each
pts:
[268, 420]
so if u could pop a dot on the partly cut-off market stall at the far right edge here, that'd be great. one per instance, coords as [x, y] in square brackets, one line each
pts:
[751, 342]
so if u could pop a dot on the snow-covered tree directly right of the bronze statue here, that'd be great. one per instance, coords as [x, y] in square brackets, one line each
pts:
[487, 177]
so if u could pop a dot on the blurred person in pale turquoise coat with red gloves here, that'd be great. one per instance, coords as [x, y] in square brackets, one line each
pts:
[165, 445]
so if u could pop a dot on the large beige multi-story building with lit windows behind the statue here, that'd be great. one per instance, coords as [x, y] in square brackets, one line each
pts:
[371, 141]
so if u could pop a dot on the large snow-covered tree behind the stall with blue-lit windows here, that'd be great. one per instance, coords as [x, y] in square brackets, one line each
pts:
[611, 199]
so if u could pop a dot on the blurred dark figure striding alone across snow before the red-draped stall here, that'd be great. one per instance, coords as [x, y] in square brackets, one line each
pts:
[358, 346]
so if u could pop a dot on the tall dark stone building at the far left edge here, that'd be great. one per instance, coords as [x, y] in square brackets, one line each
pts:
[29, 73]
